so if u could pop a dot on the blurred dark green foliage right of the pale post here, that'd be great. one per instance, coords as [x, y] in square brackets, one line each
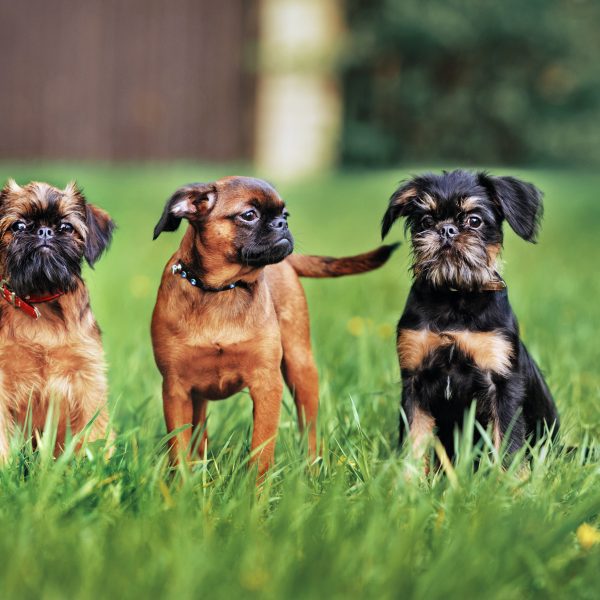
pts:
[511, 82]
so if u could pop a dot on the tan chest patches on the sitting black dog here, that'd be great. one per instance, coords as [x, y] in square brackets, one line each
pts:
[424, 349]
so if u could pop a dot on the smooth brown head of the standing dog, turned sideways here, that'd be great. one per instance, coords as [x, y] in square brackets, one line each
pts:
[238, 218]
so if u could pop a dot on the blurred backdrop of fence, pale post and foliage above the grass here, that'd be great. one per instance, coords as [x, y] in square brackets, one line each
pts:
[298, 86]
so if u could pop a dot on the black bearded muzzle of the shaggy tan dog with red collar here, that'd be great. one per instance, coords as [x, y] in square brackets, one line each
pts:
[33, 268]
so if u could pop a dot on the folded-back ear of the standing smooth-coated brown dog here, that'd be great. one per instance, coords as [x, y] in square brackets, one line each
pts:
[193, 201]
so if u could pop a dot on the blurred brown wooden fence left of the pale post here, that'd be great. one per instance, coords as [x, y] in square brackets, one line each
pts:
[126, 79]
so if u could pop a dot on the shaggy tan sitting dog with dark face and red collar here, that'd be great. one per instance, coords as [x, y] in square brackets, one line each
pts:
[50, 348]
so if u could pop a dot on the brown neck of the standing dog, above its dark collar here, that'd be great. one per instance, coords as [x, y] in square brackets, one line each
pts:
[215, 271]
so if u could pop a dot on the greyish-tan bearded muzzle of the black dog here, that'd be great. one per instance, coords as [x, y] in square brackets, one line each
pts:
[463, 264]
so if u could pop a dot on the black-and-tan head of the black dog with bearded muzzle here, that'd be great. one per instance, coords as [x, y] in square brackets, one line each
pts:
[455, 220]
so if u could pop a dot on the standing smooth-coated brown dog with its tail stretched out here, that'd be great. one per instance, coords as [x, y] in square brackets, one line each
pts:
[231, 312]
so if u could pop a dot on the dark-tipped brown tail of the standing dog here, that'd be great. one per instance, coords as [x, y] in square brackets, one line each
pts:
[327, 266]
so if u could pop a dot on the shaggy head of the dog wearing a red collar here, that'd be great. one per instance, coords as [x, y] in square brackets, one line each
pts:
[45, 233]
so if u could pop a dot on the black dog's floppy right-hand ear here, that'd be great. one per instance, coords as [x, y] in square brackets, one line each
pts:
[520, 203]
